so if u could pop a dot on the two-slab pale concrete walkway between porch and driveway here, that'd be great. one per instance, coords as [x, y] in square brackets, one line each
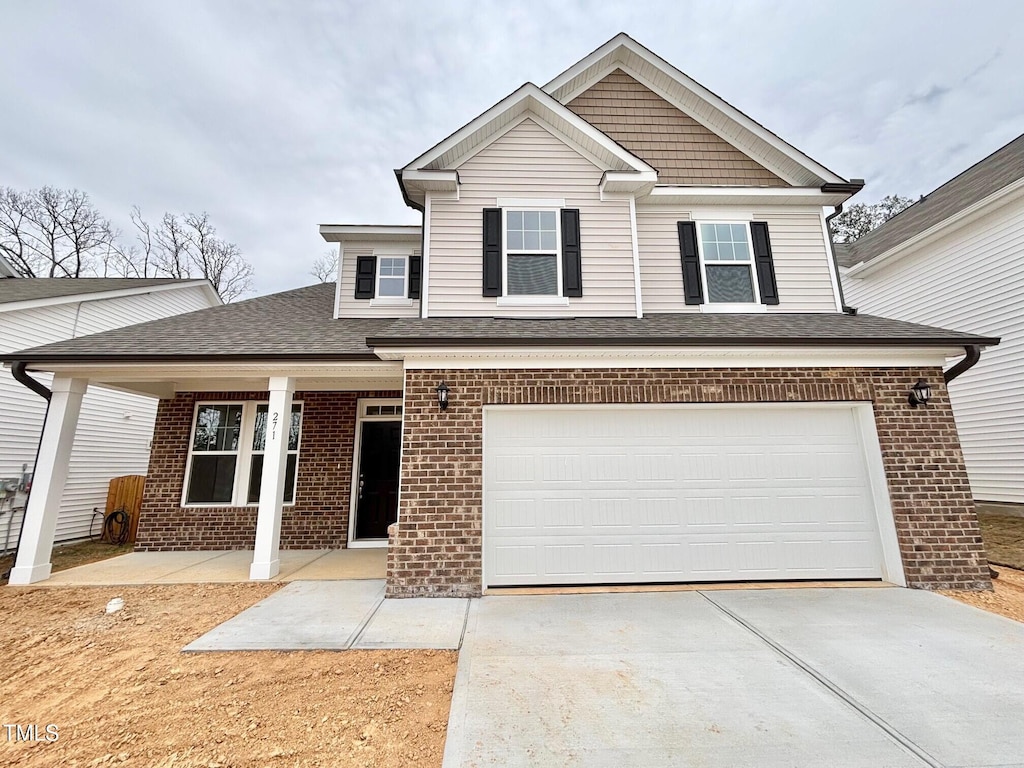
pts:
[338, 616]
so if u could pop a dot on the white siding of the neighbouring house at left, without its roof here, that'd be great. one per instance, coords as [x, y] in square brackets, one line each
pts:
[115, 429]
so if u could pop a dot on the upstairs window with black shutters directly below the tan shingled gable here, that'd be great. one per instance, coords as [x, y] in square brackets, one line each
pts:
[728, 266]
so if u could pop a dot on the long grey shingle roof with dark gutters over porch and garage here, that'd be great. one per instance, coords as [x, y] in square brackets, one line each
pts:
[300, 325]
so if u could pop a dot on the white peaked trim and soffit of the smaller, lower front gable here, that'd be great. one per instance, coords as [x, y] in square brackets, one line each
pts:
[528, 99]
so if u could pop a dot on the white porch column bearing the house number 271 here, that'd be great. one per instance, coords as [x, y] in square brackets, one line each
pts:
[267, 563]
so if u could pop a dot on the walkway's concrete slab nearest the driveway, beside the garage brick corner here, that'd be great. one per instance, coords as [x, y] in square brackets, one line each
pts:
[416, 623]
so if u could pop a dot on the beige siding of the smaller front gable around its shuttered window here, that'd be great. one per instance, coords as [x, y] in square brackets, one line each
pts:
[530, 162]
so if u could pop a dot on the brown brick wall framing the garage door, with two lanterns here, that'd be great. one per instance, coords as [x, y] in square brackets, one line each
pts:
[437, 546]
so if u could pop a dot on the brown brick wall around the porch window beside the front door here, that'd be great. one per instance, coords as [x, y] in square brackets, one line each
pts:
[319, 519]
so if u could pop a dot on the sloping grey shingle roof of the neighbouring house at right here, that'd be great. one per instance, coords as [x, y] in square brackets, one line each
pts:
[990, 176]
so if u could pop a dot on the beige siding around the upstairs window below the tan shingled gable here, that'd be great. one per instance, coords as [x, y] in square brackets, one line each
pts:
[799, 255]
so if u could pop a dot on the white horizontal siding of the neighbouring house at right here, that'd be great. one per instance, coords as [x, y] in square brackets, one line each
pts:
[970, 280]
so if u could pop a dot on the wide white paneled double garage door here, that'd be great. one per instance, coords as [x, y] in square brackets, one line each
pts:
[606, 495]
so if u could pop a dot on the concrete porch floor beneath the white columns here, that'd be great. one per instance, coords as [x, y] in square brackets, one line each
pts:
[223, 567]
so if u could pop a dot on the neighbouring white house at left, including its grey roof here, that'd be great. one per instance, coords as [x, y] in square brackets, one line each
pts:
[115, 428]
